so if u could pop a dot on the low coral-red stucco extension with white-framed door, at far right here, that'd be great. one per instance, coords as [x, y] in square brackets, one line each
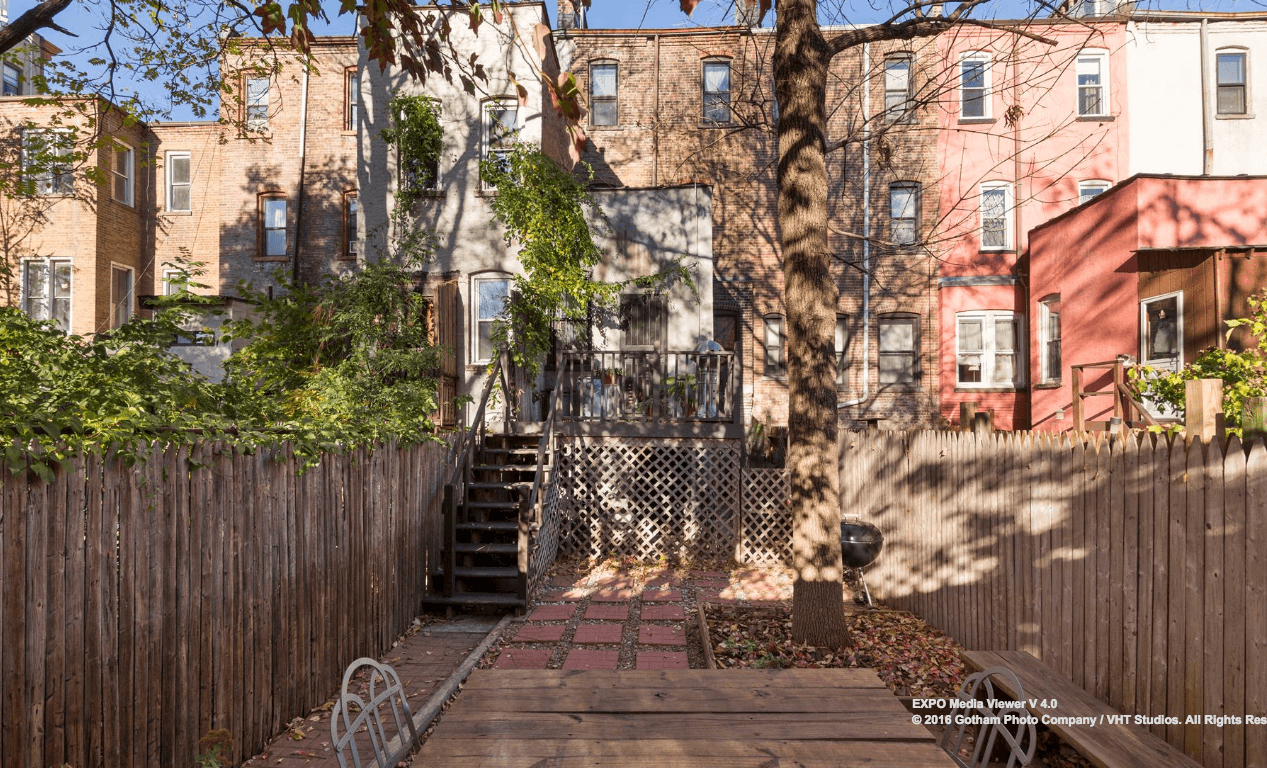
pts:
[1149, 271]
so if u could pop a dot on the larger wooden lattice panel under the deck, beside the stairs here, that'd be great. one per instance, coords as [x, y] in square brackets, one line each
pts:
[646, 499]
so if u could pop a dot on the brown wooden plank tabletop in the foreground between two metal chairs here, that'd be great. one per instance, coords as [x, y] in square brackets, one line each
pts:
[680, 719]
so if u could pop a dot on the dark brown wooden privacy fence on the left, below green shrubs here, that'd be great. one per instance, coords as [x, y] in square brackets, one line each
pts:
[141, 608]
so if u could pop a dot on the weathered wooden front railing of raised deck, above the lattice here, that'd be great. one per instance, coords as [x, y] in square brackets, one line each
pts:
[649, 387]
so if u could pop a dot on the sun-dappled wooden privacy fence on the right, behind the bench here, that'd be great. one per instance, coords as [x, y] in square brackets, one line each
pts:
[1137, 570]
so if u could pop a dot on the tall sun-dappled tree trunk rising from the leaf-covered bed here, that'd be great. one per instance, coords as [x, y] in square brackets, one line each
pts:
[801, 59]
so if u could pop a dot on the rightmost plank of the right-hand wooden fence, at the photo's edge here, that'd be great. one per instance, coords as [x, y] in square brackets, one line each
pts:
[1256, 603]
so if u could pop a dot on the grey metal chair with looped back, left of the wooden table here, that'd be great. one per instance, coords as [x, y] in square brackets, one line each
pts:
[366, 715]
